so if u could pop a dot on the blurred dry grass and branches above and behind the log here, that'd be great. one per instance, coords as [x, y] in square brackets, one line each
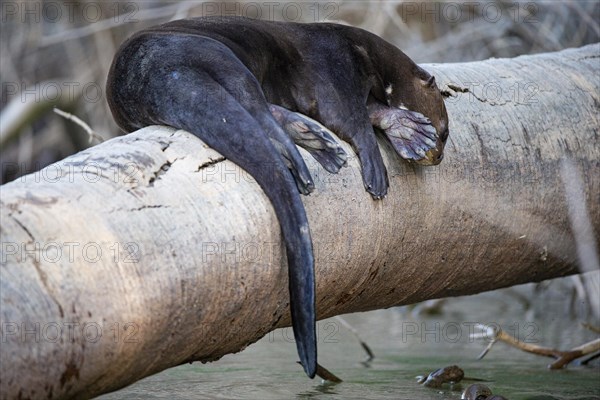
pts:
[59, 53]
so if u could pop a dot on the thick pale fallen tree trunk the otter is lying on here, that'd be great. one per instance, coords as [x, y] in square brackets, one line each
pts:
[151, 250]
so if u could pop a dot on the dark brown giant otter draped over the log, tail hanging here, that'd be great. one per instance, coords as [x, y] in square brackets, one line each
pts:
[244, 87]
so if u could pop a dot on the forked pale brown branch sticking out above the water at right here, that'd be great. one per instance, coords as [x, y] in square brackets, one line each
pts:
[562, 357]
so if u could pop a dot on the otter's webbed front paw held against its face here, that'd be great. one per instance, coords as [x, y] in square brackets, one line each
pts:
[412, 135]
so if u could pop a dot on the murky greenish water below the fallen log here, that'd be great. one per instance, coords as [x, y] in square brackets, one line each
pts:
[404, 347]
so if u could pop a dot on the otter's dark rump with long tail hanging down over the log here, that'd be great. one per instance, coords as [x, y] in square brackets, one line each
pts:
[195, 96]
